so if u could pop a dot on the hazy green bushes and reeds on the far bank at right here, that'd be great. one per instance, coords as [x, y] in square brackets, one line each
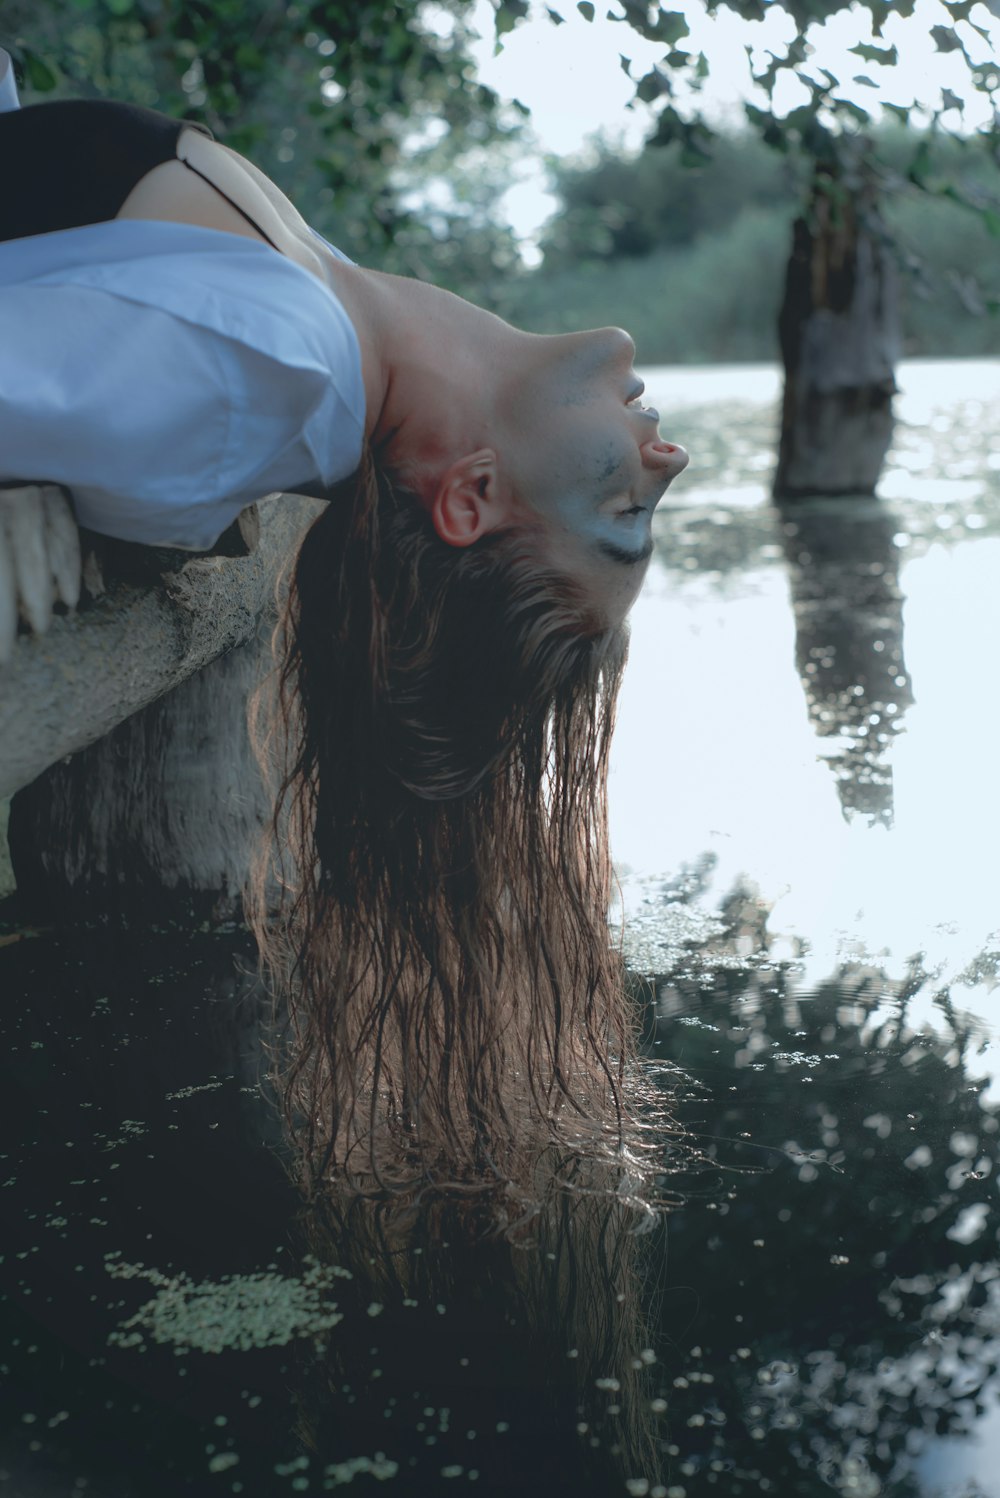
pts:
[694, 257]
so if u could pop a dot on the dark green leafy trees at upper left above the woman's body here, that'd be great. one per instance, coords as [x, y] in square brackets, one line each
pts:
[332, 98]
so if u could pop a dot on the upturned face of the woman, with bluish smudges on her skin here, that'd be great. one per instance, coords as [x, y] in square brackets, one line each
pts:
[586, 458]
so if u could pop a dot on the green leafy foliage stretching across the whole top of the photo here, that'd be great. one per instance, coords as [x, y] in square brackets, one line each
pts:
[363, 109]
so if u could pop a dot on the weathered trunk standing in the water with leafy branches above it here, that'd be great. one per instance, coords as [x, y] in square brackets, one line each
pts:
[839, 323]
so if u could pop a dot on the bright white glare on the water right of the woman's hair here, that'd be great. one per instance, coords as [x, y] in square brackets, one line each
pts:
[716, 750]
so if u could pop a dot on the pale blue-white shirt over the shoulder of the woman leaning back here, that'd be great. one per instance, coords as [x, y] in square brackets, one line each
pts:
[170, 375]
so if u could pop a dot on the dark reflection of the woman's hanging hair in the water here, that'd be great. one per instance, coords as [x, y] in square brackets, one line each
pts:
[555, 1326]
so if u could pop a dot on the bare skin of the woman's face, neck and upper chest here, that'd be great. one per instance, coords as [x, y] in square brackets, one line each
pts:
[490, 426]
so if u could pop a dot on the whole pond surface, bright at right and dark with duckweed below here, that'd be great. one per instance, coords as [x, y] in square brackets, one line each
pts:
[805, 814]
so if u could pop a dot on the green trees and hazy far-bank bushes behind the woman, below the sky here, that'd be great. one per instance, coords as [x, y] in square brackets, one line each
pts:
[374, 122]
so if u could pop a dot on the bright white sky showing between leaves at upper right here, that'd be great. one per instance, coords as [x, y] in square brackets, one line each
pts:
[571, 79]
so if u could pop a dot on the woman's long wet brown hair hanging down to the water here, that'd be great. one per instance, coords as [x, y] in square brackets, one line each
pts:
[433, 904]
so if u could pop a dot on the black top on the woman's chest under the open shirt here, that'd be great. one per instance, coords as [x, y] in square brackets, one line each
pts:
[76, 161]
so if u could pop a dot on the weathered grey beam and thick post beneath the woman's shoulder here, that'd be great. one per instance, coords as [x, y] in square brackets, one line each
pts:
[124, 735]
